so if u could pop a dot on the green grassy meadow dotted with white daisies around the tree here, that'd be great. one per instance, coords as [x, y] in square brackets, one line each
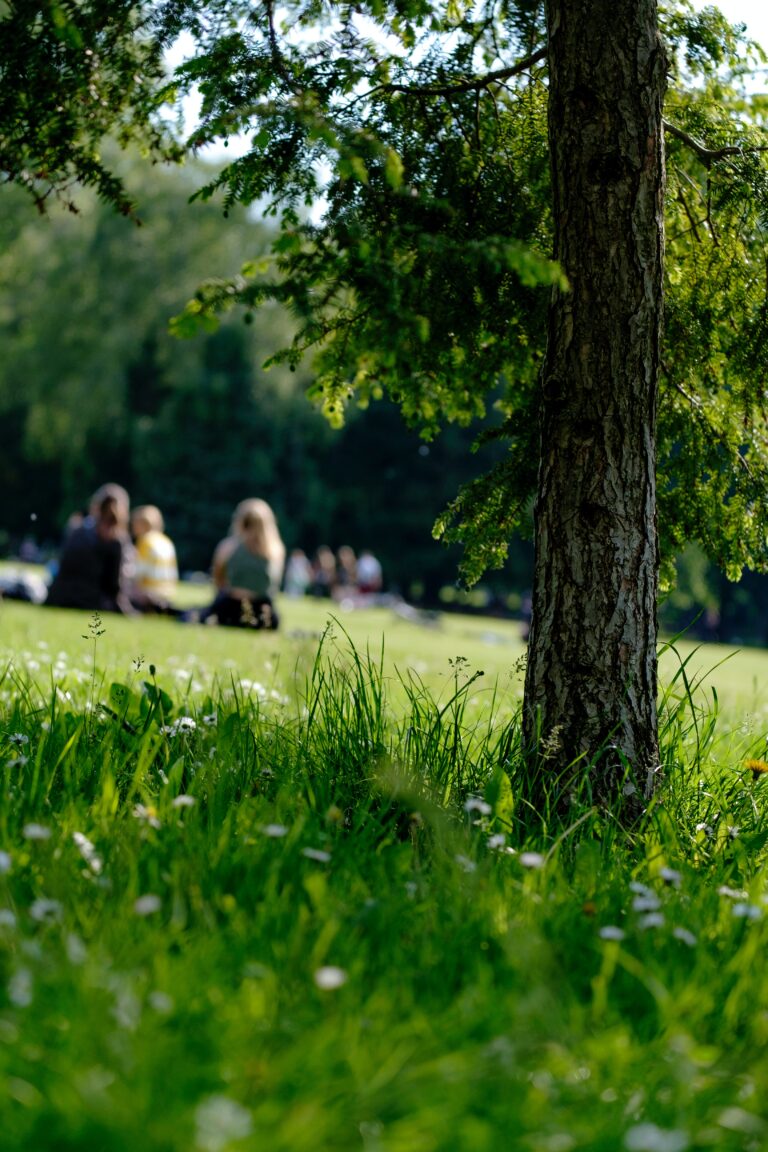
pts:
[278, 892]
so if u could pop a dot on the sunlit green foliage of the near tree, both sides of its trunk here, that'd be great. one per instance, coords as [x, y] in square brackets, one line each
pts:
[419, 134]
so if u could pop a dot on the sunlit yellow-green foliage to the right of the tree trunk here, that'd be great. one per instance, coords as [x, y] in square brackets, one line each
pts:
[713, 433]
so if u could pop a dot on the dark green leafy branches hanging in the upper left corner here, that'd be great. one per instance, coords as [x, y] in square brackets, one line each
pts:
[73, 74]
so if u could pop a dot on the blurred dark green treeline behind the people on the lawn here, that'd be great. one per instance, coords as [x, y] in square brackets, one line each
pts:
[94, 388]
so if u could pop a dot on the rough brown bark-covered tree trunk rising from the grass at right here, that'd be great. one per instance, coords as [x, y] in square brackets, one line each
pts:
[591, 681]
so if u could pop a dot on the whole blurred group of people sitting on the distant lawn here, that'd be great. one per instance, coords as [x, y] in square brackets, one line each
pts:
[115, 559]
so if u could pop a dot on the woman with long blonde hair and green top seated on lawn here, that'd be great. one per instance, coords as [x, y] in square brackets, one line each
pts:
[248, 569]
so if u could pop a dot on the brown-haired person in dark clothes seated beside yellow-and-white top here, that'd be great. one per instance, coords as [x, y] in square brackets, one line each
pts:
[96, 557]
